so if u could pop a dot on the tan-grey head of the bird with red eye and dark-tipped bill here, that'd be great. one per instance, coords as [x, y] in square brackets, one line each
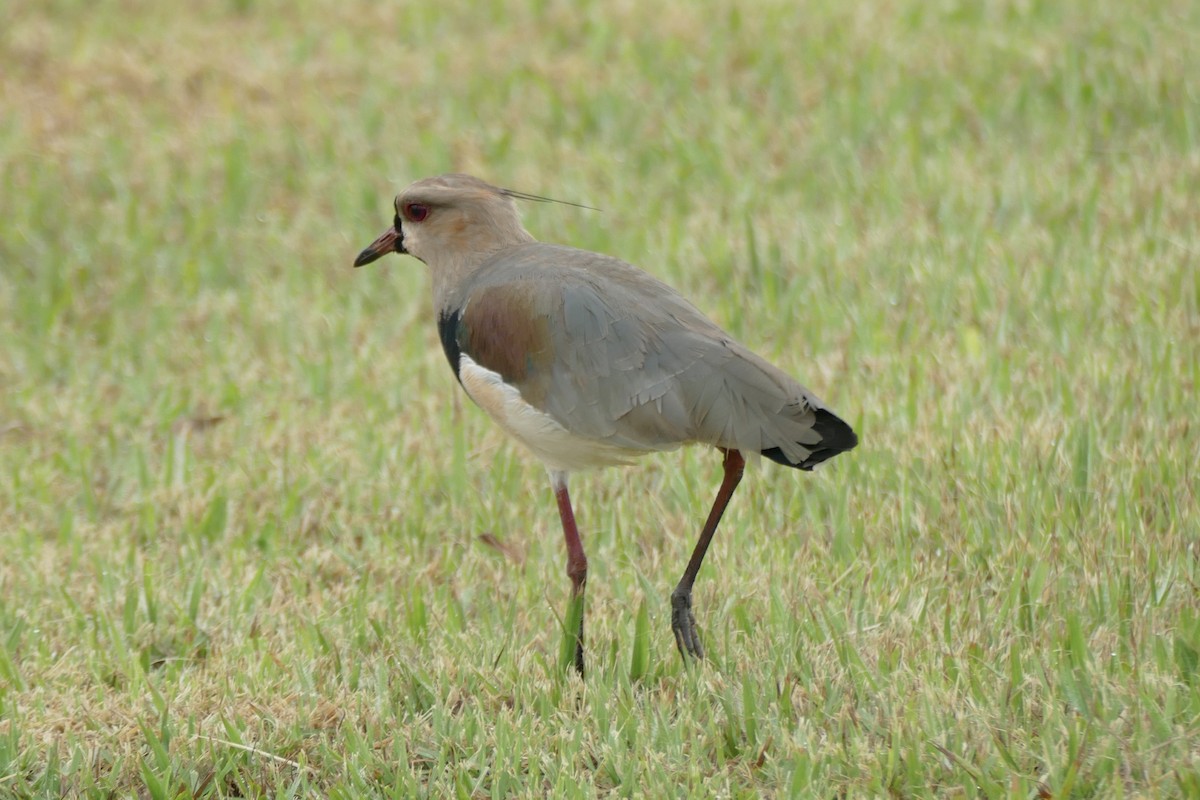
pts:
[451, 222]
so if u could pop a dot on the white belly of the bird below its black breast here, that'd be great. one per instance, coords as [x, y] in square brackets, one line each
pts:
[541, 434]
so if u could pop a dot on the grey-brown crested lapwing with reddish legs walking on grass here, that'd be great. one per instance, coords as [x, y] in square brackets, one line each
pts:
[589, 362]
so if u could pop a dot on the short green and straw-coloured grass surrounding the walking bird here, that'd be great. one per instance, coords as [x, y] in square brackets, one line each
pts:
[256, 544]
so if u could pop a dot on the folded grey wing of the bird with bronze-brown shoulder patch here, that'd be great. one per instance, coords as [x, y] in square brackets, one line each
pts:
[623, 359]
